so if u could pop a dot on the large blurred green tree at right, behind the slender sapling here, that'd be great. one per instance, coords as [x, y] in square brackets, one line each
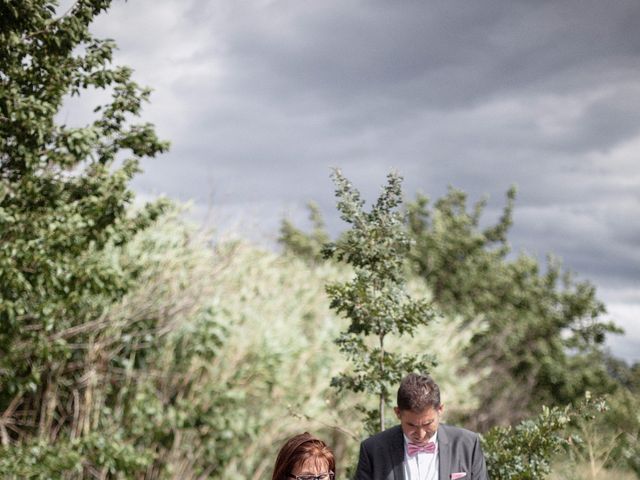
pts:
[543, 337]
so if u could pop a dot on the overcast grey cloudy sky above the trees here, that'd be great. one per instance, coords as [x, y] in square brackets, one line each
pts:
[260, 98]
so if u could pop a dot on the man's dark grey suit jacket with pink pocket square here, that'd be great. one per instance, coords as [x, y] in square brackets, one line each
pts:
[382, 455]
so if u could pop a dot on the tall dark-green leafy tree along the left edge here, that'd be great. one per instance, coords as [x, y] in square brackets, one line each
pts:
[64, 210]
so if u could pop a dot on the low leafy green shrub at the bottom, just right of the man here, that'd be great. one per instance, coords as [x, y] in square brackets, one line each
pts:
[525, 452]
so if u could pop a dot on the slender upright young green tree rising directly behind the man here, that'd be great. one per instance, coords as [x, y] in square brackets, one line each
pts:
[375, 301]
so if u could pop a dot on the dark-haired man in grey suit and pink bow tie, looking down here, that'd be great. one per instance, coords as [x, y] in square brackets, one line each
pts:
[421, 448]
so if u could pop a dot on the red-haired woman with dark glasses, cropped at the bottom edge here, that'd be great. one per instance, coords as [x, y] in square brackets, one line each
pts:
[304, 457]
